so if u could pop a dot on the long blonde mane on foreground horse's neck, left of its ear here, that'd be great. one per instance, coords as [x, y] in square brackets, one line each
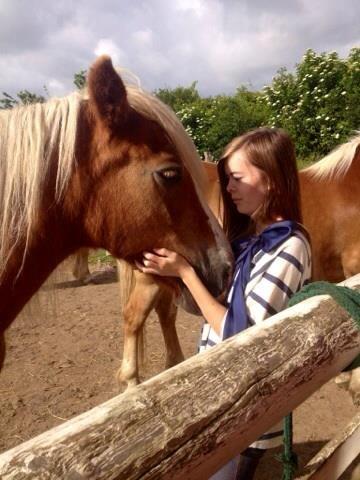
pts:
[31, 138]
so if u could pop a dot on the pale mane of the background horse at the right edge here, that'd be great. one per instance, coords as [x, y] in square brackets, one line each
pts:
[337, 163]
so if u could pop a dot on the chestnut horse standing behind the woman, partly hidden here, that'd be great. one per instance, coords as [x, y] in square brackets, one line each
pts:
[331, 211]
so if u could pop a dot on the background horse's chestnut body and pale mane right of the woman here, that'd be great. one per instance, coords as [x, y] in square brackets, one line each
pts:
[330, 202]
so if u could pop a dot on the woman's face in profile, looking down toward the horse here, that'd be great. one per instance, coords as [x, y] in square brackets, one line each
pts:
[247, 184]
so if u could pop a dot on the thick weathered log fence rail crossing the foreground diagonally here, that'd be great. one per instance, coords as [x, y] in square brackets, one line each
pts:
[188, 421]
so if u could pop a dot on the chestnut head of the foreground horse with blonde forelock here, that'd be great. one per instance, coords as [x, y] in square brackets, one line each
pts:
[138, 180]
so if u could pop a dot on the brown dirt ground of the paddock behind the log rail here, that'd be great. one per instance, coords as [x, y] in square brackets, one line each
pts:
[58, 366]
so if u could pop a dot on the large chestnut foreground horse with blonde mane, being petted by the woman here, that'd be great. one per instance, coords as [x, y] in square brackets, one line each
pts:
[101, 169]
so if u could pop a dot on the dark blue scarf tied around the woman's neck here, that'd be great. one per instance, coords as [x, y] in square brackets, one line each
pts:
[244, 252]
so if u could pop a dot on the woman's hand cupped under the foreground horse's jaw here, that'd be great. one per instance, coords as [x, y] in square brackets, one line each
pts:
[165, 263]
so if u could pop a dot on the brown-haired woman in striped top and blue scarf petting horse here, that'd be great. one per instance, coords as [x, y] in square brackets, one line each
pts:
[262, 219]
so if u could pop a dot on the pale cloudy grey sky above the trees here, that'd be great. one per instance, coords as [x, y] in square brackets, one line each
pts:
[221, 44]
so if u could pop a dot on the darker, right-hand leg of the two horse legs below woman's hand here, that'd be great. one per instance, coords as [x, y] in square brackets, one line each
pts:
[166, 311]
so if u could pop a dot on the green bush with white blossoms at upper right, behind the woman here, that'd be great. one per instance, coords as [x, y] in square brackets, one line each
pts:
[319, 103]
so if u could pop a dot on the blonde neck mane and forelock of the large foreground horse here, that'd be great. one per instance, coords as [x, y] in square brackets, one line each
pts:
[34, 136]
